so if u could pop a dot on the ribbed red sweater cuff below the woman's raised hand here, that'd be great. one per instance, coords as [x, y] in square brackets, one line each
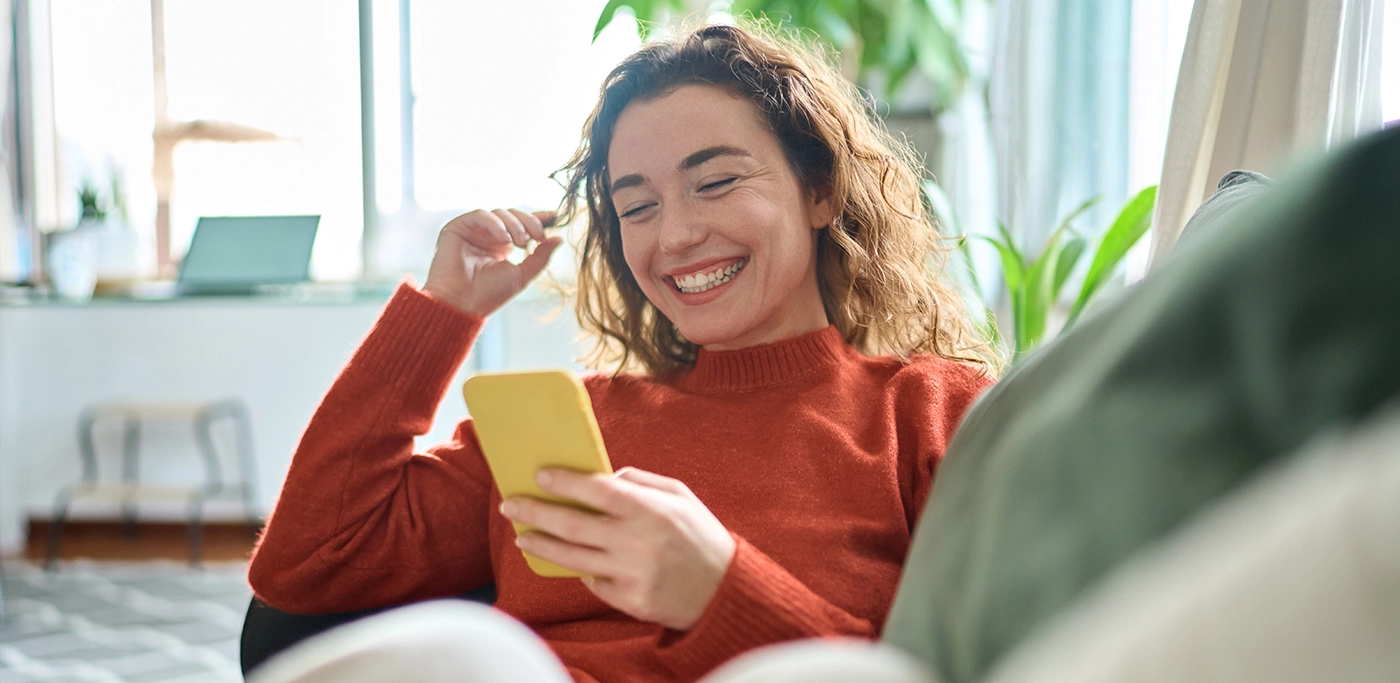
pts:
[418, 339]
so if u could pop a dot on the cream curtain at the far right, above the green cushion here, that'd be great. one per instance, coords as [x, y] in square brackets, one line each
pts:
[1263, 83]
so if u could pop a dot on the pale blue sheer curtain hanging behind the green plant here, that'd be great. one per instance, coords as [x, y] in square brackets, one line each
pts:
[1060, 113]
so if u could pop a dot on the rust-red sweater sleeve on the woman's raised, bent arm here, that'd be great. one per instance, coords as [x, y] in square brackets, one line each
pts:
[362, 520]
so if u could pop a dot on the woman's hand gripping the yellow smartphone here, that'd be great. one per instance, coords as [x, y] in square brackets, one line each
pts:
[656, 554]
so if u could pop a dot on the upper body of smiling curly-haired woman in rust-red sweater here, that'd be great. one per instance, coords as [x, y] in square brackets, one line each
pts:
[755, 243]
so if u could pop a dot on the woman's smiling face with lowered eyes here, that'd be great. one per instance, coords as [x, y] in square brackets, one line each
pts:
[716, 227]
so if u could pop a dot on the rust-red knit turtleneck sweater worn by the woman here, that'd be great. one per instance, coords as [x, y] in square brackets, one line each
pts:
[817, 458]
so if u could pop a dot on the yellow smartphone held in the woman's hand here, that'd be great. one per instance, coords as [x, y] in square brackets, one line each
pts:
[533, 421]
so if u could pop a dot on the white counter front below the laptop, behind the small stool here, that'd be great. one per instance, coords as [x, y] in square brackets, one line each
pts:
[279, 356]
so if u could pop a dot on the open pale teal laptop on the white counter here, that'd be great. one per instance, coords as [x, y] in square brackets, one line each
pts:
[239, 254]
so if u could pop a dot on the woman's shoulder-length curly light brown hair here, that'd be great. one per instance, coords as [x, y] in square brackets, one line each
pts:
[877, 261]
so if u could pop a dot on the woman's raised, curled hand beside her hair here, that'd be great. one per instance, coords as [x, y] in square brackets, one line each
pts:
[470, 269]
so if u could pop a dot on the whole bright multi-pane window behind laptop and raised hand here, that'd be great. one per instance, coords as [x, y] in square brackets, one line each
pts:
[492, 114]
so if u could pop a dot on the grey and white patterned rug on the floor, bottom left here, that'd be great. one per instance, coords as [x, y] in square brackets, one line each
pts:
[122, 624]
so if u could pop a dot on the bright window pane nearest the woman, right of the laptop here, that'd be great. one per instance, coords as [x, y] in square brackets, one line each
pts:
[498, 99]
